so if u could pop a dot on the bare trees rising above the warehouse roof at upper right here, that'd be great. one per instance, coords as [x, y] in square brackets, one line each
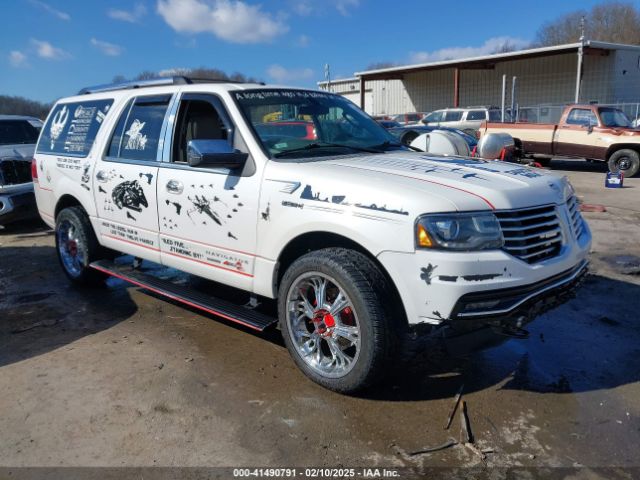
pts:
[615, 21]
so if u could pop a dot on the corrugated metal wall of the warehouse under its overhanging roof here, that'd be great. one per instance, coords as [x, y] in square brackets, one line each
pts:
[543, 80]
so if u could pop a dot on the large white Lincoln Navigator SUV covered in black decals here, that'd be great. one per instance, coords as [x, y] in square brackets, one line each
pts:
[365, 245]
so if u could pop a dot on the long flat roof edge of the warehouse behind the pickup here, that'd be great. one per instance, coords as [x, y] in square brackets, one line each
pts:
[497, 57]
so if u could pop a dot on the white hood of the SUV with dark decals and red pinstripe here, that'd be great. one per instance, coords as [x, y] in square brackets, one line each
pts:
[469, 184]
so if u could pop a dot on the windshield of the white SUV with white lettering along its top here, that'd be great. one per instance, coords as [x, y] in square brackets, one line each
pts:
[299, 123]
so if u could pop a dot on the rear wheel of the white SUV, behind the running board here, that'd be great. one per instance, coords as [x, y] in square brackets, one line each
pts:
[85, 242]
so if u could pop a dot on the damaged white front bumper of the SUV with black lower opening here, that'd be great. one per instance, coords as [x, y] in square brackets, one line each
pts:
[438, 287]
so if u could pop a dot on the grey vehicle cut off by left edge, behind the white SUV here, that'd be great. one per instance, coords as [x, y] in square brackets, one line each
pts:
[18, 137]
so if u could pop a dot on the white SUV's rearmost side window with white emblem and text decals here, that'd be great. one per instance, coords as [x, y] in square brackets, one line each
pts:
[72, 127]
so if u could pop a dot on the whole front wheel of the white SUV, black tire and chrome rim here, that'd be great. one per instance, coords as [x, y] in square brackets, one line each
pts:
[334, 321]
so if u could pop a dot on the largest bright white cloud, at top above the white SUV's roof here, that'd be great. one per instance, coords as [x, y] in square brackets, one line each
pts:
[230, 20]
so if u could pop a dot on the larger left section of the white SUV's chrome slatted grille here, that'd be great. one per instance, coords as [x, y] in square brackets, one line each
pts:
[531, 234]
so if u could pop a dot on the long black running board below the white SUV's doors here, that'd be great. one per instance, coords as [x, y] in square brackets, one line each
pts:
[221, 308]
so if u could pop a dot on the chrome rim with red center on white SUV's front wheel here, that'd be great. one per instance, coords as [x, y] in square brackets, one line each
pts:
[323, 324]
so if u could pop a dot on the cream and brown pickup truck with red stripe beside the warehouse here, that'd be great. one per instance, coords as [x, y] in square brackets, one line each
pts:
[585, 131]
